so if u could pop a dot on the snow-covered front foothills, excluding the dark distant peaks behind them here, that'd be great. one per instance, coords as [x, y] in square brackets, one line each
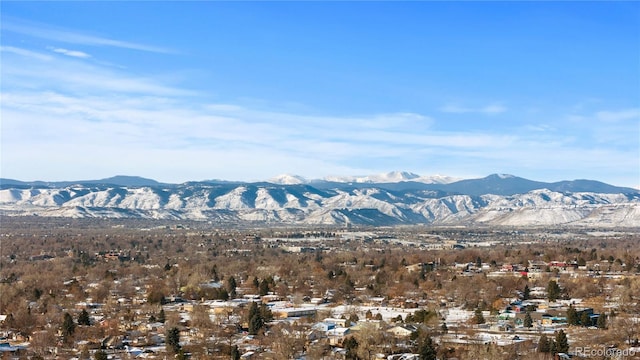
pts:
[303, 204]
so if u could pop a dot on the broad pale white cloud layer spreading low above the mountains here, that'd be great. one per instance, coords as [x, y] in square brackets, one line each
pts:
[60, 112]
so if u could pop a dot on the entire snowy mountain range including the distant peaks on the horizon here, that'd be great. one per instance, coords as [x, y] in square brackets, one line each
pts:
[397, 198]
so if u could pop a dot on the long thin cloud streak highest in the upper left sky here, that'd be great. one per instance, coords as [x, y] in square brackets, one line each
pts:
[73, 37]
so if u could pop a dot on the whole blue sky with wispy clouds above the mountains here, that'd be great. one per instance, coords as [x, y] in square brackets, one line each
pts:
[187, 91]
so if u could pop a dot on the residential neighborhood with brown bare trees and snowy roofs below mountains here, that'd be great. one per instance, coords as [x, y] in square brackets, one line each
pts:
[180, 292]
